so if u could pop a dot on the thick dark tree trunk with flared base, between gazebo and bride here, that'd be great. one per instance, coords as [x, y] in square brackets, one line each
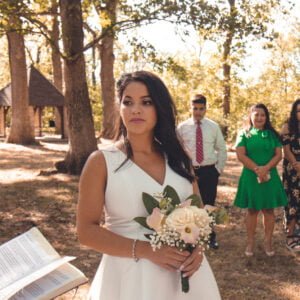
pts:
[82, 140]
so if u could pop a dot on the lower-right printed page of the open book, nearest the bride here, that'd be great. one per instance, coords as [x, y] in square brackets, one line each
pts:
[53, 284]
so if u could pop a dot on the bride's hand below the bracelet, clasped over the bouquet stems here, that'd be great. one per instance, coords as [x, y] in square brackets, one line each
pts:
[169, 258]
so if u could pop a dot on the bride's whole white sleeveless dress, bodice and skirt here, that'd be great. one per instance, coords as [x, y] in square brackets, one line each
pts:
[119, 278]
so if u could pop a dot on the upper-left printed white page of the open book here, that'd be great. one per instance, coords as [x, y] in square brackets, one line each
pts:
[23, 255]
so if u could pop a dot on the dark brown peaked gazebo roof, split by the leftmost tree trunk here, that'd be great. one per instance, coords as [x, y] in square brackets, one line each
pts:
[41, 91]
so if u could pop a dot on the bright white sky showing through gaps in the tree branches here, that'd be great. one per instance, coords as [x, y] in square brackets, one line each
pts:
[171, 40]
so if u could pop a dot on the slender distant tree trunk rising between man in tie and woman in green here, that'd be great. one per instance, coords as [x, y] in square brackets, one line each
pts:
[226, 61]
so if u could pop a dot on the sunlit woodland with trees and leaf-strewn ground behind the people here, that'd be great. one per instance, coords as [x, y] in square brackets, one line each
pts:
[83, 47]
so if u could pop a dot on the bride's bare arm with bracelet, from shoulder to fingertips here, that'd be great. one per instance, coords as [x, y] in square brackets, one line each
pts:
[89, 212]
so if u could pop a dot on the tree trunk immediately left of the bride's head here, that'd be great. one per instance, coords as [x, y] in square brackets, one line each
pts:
[107, 73]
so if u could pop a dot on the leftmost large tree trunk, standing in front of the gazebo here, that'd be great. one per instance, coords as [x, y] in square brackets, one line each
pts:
[22, 123]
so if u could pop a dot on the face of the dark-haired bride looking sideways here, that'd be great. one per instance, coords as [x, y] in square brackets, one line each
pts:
[137, 109]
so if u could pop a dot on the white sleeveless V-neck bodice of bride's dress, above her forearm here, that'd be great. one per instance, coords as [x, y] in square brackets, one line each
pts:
[123, 195]
